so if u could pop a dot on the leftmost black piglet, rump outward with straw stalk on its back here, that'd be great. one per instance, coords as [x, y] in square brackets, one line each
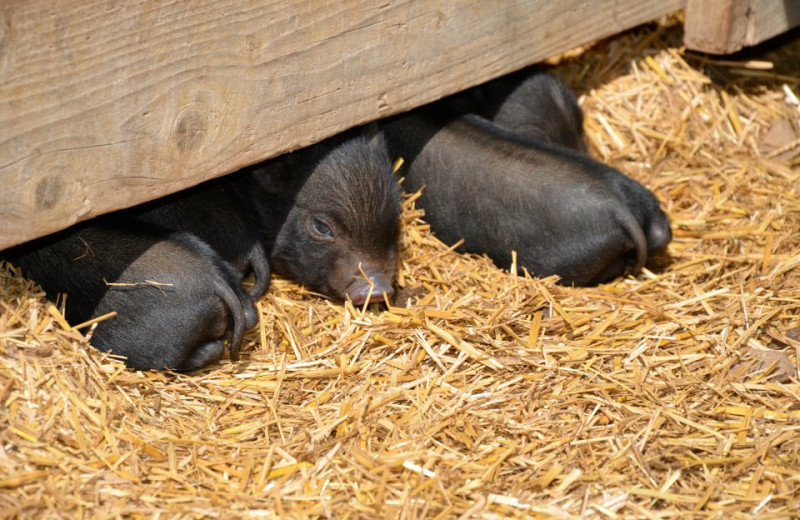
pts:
[176, 299]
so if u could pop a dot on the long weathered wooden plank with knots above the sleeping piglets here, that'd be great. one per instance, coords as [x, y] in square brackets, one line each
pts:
[105, 104]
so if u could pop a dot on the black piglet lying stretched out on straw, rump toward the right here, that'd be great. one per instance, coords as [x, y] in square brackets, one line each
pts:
[563, 212]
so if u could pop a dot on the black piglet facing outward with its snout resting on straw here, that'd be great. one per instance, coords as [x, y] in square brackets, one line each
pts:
[329, 215]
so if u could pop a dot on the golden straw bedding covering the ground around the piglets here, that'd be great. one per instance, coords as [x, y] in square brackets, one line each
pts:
[673, 394]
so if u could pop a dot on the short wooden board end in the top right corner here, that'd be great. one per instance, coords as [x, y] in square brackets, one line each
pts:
[726, 26]
